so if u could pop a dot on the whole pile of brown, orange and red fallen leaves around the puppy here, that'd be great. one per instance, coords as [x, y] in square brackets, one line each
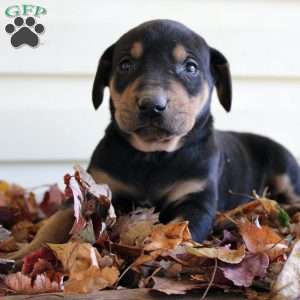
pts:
[254, 249]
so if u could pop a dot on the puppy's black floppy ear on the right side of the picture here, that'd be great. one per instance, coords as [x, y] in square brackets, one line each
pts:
[222, 77]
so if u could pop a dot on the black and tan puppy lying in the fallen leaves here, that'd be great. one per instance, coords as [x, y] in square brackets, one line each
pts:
[161, 149]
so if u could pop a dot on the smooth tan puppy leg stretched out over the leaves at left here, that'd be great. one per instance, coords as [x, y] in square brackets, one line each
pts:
[55, 230]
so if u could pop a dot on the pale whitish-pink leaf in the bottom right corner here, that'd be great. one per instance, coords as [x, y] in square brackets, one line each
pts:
[287, 285]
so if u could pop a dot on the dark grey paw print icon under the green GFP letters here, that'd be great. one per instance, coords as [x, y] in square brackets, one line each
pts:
[24, 32]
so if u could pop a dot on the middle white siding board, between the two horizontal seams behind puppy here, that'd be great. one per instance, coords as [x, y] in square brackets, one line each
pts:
[53, 118]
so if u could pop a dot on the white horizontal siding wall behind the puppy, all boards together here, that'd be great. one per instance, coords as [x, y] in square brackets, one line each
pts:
[47, 122]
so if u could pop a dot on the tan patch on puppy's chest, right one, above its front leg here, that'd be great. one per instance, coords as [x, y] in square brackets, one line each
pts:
[181, 189]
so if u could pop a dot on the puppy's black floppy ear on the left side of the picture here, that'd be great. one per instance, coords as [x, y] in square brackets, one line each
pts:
[102, 76]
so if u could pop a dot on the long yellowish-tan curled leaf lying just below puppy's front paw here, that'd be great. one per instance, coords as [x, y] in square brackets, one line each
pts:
[225, 254]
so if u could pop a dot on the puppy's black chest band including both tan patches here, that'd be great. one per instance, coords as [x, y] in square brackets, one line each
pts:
[155, 189]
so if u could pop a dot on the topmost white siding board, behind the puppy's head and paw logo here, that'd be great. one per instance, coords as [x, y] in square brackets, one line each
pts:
[260, 38]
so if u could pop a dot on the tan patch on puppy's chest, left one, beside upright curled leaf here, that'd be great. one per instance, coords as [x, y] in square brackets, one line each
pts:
[115, 185]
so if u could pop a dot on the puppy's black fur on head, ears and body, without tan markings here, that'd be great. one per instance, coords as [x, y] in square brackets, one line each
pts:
[229, 161]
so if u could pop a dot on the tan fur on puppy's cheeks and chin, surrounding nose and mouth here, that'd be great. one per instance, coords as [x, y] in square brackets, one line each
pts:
[181, 113]
